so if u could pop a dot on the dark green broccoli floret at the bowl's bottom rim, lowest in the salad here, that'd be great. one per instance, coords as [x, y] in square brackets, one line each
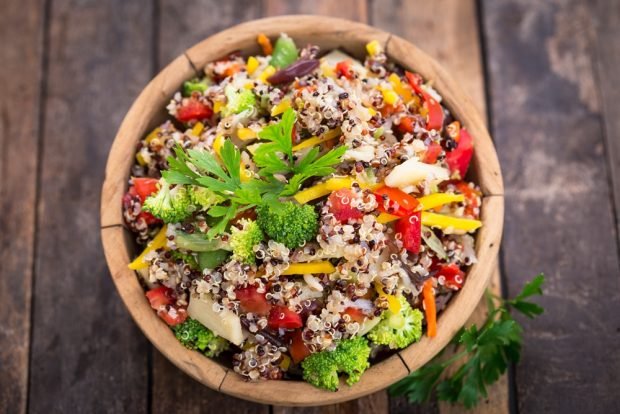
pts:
[350, 357]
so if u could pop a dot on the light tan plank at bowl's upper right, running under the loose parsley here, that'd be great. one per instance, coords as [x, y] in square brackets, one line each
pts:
[453, 40]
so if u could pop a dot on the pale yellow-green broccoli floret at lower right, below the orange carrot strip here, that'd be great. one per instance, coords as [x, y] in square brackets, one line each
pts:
[398, 330]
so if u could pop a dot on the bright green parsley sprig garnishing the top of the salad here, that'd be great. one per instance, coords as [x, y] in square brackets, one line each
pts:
[274, 156]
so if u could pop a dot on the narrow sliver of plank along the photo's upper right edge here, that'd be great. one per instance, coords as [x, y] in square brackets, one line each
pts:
[607, 48]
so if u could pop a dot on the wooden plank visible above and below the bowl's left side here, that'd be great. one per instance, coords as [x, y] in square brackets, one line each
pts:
[181, 25]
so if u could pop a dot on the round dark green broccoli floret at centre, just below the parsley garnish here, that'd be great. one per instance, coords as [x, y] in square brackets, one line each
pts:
[288, 223]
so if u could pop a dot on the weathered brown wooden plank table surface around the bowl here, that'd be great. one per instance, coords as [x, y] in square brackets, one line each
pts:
[544, 73]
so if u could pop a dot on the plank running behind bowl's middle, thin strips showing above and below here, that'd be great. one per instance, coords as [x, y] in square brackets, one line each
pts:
[352, 10]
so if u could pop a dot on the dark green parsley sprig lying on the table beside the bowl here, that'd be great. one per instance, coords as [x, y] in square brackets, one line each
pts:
[487, 351]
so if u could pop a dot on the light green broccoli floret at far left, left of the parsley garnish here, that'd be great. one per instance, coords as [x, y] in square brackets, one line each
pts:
[172, 205]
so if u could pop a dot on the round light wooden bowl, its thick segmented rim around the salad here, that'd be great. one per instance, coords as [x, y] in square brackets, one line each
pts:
[148, 111]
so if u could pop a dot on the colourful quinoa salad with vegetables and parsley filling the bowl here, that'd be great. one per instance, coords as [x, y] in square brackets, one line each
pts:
[303, 214]
